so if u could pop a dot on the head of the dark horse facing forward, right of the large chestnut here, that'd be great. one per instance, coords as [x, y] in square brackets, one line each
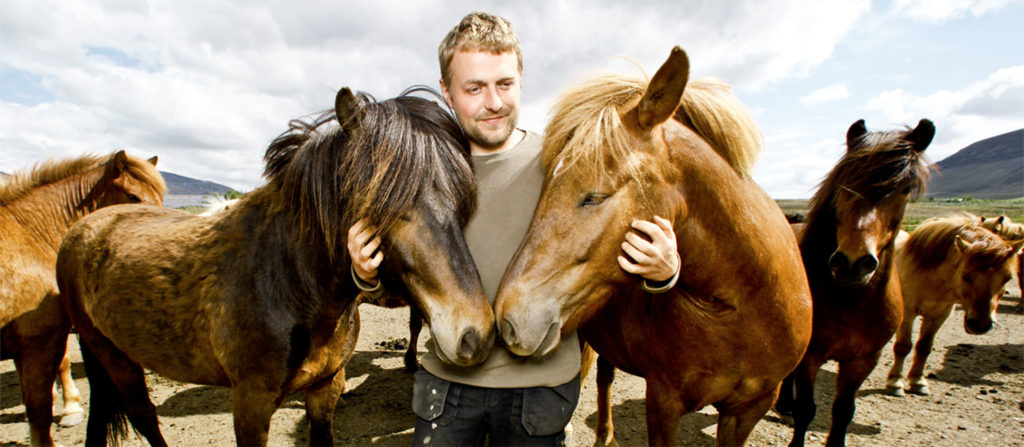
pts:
[870, 189]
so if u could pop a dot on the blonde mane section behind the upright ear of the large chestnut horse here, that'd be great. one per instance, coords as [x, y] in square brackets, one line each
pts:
[717, 115]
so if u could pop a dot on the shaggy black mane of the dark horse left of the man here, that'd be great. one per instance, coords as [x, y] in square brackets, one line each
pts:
[333, 174]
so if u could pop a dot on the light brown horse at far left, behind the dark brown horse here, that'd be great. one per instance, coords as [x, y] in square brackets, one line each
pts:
[37, 207]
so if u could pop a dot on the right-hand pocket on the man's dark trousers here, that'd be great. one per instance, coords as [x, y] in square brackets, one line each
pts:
[546, 411]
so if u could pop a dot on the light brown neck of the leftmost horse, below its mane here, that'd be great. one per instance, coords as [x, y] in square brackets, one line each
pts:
[48, 212]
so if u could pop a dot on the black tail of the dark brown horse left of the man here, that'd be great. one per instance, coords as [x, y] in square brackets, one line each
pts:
[108, 414]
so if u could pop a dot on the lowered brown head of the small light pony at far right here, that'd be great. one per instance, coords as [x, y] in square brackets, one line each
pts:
[987, 263]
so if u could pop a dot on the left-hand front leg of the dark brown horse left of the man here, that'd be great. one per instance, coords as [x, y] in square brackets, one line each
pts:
[253, 406]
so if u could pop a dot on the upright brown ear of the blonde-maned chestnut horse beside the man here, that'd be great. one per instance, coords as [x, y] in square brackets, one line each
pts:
[665, 93]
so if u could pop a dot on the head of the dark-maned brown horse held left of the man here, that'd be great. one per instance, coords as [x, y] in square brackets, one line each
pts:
[420, 196]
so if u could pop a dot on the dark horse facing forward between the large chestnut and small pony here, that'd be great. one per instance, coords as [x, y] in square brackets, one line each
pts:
[847, 246]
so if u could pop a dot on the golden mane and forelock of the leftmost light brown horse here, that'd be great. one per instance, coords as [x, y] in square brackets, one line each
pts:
[53, 171]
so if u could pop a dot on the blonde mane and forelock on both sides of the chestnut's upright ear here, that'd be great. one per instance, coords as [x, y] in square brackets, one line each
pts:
[586, 129]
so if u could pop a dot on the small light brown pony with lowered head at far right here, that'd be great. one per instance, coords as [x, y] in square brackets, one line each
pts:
[948, 261]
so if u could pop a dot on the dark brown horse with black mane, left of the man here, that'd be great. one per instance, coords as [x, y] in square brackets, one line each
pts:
[261, 298]
